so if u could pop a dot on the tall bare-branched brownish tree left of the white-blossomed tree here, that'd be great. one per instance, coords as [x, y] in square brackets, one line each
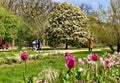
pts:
[34, 12]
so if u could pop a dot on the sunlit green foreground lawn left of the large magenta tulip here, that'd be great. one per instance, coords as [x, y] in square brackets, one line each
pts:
[14, 74]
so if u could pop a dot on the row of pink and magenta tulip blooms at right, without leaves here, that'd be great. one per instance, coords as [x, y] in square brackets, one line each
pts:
[107, 62]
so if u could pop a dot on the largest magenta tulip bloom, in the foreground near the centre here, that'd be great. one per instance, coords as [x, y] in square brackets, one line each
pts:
[70, 61]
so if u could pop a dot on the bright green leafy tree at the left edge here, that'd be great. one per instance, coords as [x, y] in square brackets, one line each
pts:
[9, 24]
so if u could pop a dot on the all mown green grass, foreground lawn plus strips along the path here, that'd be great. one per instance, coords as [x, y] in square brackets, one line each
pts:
[14, 73]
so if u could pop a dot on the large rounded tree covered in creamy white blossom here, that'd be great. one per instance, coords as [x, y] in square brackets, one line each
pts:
[68, 25]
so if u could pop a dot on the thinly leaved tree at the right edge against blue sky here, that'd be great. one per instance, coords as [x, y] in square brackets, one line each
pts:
[111, 24]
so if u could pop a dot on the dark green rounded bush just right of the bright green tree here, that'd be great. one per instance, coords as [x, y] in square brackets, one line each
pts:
[25, 30]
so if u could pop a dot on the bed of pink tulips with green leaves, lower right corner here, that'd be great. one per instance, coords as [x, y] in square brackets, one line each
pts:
[93, 69]
